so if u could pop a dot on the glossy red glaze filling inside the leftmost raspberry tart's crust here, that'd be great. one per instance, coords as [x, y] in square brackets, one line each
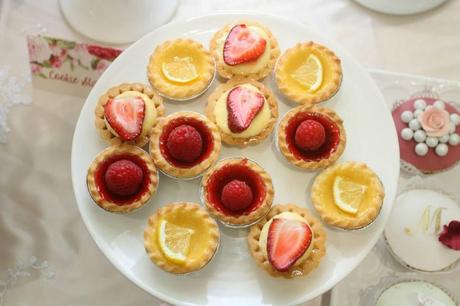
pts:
[103, 187]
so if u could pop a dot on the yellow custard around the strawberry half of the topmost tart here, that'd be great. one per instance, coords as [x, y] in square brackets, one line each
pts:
[253, 66]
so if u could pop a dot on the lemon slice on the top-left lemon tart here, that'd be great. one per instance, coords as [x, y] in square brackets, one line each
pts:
[180, 70]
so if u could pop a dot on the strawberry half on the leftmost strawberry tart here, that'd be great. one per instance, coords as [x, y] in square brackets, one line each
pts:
[125, 116]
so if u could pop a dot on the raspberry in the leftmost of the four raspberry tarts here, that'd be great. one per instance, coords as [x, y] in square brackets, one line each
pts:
[124, 177]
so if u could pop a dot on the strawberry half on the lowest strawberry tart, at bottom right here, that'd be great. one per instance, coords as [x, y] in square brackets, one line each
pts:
[287, 241]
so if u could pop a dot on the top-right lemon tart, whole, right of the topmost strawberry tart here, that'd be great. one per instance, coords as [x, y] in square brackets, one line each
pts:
[308, 73]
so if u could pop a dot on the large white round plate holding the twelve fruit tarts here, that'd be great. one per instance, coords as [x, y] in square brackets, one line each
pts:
[233, 278]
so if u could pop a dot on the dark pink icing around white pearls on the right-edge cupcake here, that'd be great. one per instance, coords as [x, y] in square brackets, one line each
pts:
[431, 162]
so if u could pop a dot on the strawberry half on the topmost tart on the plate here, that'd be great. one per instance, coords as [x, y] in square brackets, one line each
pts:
[243, 45]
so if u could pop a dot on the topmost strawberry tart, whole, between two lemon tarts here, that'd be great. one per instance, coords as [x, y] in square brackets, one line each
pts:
[244, 49]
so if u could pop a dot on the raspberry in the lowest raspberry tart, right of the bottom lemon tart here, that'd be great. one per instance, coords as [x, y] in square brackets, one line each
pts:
[236, 195]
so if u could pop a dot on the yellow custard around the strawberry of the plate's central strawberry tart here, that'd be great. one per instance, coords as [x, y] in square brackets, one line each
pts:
[258, 124]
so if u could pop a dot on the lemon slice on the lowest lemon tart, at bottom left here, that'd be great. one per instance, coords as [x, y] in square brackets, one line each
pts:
[174, 241]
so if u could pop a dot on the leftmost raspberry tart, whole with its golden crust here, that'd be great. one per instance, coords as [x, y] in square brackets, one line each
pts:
[122, 178]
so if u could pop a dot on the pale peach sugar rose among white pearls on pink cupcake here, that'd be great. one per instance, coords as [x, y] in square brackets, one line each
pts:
[435, 121]
